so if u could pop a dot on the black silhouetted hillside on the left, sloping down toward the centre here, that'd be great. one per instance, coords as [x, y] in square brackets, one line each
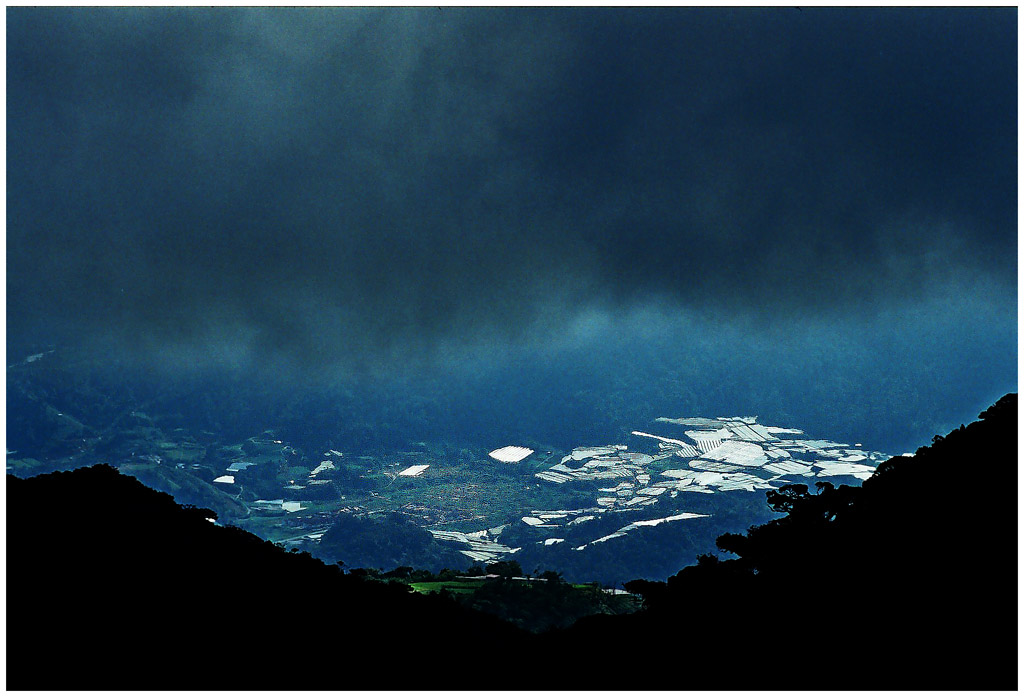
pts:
[114, 586]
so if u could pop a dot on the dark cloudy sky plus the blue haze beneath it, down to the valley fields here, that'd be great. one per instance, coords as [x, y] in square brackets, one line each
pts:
[809, 214]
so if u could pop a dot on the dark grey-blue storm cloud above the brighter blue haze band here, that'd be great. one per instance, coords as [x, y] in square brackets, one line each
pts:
[328, 183]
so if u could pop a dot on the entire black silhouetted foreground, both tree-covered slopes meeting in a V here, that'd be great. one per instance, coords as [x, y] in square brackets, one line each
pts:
[907, 583]
